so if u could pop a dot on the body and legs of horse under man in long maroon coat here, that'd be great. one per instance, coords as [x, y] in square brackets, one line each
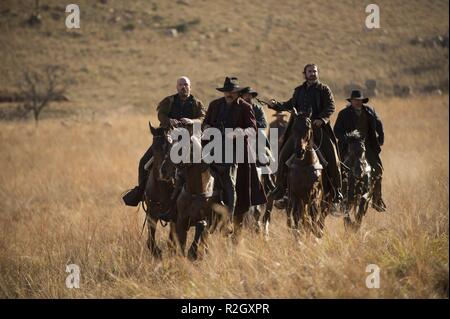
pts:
[196, 206]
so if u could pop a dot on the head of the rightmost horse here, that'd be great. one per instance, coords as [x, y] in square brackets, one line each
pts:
[356, 150]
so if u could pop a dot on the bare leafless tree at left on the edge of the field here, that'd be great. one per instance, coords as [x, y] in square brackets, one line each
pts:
[38, 88]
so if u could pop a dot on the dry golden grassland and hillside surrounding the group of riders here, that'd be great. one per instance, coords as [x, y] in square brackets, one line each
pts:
[61, 183]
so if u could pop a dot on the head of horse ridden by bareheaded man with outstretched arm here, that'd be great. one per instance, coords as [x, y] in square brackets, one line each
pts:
[302, 132]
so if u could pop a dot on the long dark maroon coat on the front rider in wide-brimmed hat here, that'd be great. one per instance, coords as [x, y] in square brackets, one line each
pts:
[249, 189]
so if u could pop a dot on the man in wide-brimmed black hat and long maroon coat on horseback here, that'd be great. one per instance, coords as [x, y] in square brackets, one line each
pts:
[231, 111]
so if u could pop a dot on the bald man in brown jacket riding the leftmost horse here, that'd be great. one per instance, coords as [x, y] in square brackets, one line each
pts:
[180, 108]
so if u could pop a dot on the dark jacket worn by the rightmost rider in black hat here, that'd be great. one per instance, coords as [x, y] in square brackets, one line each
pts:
[347, 121]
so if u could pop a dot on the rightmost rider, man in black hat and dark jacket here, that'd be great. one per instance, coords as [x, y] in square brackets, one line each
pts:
[359, 116]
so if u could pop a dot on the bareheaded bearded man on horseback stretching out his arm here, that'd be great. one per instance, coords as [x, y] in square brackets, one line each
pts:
[317, 98]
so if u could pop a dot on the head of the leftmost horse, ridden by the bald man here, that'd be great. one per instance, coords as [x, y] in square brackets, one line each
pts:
[162, 142]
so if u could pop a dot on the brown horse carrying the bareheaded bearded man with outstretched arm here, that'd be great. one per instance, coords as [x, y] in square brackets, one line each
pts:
[305, 186]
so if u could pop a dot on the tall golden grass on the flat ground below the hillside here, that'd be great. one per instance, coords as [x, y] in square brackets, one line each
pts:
[60, 188]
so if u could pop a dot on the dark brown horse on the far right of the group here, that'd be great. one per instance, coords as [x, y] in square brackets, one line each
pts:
[356, 180]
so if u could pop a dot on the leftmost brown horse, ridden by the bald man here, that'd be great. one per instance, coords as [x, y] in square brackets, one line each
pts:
[158, 189]
